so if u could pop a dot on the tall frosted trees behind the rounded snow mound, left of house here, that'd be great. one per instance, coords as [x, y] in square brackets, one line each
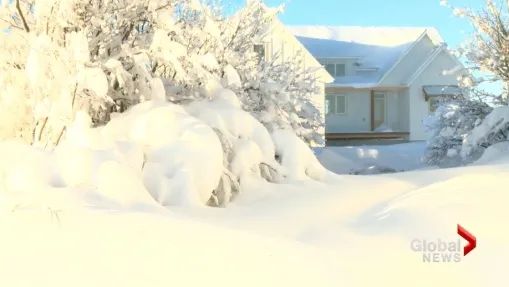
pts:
[61, 58]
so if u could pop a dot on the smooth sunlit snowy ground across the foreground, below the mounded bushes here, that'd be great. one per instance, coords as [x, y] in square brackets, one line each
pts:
[346, 231]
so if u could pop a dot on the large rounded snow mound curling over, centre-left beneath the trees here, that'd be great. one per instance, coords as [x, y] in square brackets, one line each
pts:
[183, 158]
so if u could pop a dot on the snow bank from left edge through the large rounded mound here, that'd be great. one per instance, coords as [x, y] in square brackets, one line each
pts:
[153, 149]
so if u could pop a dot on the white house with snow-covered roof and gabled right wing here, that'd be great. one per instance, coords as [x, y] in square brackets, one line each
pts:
[386, 79]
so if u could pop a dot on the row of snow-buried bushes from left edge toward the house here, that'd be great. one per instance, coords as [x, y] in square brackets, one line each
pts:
[158, 152]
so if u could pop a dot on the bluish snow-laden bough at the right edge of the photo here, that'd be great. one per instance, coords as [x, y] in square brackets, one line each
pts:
[494, 129]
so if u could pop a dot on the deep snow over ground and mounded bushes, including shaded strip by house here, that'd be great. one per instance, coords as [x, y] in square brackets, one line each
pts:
[91, 212]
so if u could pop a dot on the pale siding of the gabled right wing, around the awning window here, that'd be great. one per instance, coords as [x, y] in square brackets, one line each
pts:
[432, 75]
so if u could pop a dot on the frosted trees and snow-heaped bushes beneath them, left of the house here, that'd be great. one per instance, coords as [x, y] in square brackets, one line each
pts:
[67, 66]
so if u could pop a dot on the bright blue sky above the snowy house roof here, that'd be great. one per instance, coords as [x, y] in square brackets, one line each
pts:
[377, 13]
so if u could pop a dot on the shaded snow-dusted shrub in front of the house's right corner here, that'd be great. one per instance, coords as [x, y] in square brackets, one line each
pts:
[449, 125]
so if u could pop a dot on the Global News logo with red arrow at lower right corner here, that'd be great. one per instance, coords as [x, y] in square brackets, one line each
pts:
[441, 251]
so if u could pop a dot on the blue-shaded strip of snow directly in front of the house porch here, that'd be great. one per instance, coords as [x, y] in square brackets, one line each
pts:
[372, 159]
